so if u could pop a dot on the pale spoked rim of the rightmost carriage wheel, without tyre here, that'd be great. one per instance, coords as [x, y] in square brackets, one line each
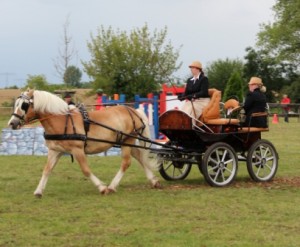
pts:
[263, 162]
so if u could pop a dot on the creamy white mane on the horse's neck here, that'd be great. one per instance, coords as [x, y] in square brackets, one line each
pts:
[46, 102]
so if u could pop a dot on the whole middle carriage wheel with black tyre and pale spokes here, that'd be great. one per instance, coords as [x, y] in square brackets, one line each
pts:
[220, 164]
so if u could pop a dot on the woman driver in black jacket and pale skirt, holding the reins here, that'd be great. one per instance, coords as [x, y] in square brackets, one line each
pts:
[196, 91]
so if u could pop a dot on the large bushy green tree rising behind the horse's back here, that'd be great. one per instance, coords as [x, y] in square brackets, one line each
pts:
[130, 63]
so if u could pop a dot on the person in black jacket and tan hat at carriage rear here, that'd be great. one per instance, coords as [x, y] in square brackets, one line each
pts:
[255, 102]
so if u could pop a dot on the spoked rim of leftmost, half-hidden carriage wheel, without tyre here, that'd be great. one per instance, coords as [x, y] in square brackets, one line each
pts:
[175, 170]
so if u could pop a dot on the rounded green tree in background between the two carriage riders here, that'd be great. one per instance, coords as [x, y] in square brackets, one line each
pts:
[219, 72]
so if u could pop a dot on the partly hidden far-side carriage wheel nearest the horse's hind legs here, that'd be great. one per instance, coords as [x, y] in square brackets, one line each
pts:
[173, 170]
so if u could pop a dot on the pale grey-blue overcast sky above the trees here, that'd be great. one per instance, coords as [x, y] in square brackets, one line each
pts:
[31, 31]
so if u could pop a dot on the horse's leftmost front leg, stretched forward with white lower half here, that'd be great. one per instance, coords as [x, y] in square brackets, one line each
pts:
[53, 157]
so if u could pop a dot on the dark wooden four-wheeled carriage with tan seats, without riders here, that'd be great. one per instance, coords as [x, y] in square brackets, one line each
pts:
[215, 144]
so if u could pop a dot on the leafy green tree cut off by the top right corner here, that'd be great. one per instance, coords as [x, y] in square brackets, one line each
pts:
[281, 39]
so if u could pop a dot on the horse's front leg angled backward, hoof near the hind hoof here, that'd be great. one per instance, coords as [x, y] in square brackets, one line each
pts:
[80, 156]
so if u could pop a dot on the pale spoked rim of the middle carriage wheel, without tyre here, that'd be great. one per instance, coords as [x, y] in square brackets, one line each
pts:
[221, 166]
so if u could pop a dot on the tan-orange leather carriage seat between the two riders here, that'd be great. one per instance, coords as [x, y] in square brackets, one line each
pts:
[211, 113]
